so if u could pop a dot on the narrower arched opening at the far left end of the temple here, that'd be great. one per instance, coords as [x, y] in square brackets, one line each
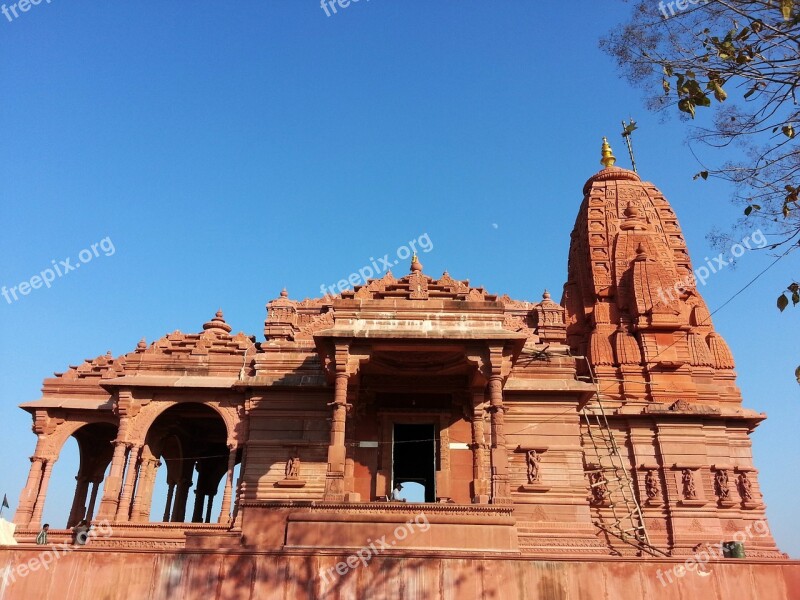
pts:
[87, 453]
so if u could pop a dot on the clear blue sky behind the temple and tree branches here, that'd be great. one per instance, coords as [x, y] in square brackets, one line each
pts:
[229, 151]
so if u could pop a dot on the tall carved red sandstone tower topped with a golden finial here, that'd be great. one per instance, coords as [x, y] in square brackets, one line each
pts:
[664, 375]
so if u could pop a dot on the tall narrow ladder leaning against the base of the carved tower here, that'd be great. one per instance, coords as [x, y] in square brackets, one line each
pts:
[628, 522]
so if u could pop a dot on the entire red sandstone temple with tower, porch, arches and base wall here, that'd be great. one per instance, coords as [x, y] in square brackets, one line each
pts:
[581, 449]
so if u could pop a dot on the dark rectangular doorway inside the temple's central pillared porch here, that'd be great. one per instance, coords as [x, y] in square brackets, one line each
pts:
[414, 457]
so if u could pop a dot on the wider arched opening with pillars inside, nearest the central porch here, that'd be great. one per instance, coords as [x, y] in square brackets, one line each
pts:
[185, 448]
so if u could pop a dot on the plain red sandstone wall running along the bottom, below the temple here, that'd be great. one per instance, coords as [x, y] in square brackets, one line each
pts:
[132, 575]
